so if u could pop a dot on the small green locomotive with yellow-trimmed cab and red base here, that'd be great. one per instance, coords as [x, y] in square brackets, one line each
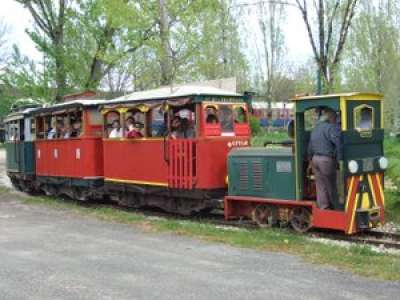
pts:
[271, 185]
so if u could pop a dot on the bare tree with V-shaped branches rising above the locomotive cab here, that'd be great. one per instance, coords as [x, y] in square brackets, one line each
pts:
[329, 35]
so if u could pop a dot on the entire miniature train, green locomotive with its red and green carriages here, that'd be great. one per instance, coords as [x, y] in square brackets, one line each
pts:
[83, 149]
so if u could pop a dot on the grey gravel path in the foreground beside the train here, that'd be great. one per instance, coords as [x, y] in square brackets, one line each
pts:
[55, 254]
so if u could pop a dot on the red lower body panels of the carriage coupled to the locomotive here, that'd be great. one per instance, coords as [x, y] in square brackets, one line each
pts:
[194, 163]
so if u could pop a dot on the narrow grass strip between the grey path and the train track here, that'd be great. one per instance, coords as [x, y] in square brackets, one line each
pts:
[357, 259]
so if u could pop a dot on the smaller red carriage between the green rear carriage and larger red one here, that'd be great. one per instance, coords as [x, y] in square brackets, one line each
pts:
[69, 149]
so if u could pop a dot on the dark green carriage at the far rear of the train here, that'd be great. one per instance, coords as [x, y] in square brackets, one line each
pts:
[20, 149]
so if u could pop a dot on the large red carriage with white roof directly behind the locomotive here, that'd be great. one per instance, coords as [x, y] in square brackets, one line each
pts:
[181, 173]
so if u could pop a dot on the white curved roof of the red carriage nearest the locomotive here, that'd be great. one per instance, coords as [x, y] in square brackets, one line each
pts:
[170, 93]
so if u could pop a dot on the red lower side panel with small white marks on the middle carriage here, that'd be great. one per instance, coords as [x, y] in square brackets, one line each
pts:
[74, 158]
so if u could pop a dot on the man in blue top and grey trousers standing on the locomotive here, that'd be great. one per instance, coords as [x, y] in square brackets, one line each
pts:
[324, 151]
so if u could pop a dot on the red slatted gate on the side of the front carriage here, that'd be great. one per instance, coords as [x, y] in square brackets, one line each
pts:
[182, 163]
